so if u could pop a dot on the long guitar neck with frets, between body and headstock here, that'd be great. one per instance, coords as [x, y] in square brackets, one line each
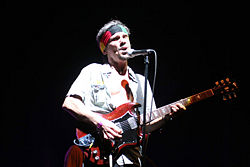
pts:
[165, 110]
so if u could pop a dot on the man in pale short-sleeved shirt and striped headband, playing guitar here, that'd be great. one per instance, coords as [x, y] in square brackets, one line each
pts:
[102, 88]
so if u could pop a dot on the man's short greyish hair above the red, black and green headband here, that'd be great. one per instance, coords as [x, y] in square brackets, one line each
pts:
[107, 26]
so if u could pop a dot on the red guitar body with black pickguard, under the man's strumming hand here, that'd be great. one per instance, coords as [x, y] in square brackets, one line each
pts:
[97, 150]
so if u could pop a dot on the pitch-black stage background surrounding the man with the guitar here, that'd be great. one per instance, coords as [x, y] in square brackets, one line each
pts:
[45, 45]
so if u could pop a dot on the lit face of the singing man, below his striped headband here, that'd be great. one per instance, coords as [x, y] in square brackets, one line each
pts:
[117, 47]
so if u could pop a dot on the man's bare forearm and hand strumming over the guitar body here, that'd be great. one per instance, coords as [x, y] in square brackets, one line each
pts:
[81, 113]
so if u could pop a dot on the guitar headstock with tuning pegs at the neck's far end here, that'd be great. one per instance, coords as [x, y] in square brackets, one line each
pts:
[227, 88]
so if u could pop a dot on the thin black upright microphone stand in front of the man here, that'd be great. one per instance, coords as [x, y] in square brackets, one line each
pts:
[146, 62]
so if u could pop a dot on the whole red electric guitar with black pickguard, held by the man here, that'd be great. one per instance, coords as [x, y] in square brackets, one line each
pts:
[127, 118]
